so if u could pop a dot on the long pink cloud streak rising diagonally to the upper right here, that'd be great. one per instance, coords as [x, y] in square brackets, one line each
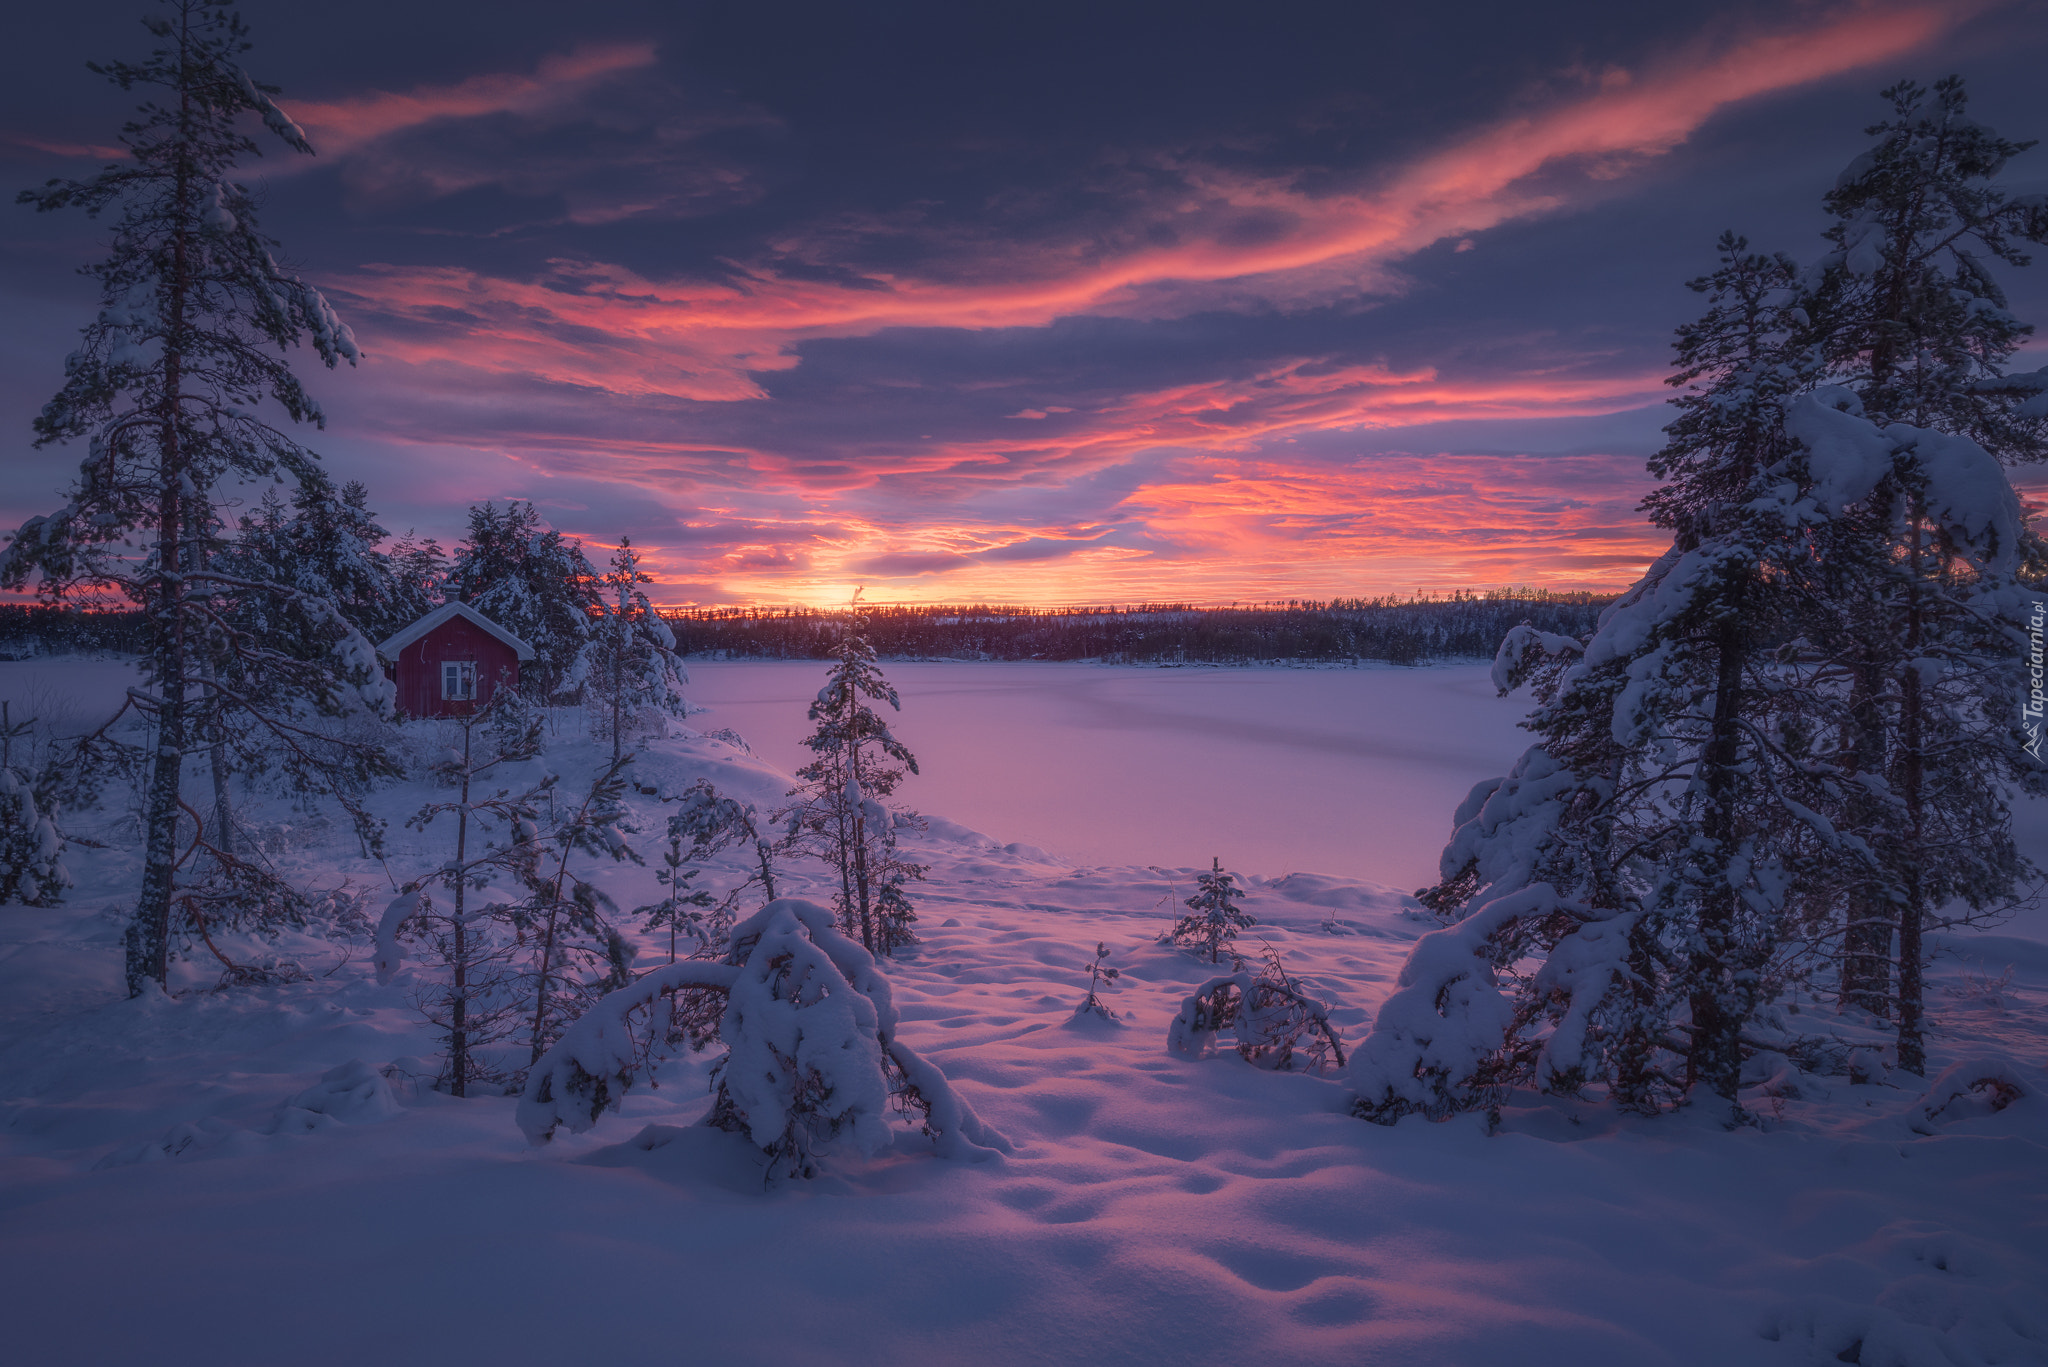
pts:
[706, 341]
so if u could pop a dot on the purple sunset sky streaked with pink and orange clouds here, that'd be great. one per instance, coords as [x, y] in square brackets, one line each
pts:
[1033, 304]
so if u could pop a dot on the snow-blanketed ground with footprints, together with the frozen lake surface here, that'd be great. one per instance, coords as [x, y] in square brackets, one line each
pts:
[1156, 1210]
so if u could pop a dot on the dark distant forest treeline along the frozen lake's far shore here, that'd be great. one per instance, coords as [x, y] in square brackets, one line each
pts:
[1394, 630]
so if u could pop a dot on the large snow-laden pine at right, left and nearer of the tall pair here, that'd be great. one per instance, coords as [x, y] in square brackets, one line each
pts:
[1646, 847]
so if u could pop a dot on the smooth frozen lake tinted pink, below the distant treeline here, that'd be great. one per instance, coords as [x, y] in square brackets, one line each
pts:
[1273, 770]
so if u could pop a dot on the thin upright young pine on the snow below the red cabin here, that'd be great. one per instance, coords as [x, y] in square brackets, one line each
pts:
[470, 944]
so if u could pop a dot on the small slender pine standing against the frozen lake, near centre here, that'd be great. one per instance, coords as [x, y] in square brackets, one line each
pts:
[839, 815]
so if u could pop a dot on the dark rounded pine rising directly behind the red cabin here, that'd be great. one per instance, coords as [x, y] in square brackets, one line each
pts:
[538, 585]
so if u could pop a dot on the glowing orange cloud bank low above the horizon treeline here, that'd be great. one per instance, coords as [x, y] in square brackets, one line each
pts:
[1226, 530]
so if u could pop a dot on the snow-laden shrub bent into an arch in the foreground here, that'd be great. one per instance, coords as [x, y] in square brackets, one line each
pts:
[812, 1063]
